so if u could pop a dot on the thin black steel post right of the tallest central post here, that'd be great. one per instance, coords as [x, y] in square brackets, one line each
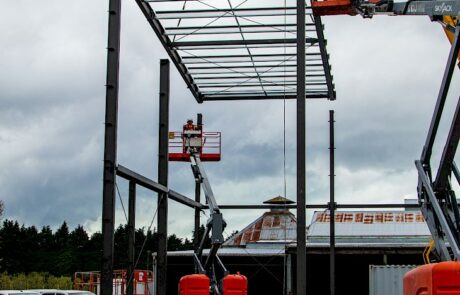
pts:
[332, 203]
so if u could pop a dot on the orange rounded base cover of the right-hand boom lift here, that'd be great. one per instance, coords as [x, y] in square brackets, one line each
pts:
[433, 279]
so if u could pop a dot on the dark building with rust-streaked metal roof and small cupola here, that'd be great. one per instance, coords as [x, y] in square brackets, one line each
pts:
[265, 250]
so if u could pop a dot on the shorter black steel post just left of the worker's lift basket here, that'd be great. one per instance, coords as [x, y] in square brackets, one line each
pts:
[163, 178]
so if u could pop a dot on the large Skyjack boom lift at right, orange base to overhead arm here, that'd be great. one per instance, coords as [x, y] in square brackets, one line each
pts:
[436, 195]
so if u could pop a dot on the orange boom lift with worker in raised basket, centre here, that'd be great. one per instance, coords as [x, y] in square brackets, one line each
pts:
[211, 275]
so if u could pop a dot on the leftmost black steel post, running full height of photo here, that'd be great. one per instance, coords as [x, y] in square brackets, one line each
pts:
[110, 146]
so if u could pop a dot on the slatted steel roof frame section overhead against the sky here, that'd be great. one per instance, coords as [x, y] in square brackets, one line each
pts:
[240, 50]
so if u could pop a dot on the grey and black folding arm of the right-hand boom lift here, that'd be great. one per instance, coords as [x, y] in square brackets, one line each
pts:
[437, 197]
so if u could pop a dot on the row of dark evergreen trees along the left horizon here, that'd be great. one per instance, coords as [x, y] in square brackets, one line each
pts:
[63, 252]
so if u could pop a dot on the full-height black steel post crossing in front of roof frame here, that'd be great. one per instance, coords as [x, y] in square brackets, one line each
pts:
[301, 146]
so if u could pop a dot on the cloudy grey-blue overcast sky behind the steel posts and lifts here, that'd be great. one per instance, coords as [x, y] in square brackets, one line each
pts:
[387, 73]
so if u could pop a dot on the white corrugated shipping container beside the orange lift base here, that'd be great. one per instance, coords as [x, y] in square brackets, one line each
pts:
[387, 279]
